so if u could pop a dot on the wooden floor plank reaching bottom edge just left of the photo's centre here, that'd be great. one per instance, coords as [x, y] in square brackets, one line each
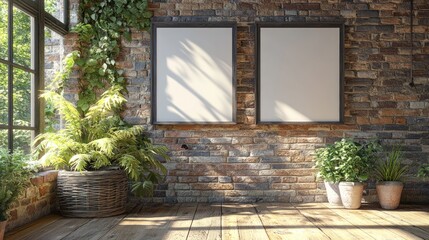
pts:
[206, 223]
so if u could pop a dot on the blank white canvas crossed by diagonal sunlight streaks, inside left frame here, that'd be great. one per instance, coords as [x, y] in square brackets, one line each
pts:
[194, 75]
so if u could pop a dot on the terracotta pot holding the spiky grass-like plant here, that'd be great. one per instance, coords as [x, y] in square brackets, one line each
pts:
[389, 193]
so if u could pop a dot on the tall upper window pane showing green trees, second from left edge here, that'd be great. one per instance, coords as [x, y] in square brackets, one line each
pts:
[22, 38]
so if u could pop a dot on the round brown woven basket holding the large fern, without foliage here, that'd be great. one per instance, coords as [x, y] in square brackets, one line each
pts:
[92, 193]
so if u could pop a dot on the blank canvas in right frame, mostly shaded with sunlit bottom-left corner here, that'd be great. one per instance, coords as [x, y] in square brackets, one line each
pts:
[299, 74]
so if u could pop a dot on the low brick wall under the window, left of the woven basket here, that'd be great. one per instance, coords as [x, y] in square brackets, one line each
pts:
[38, 200]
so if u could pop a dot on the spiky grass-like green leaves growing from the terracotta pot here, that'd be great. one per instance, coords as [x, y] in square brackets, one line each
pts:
[391, 169]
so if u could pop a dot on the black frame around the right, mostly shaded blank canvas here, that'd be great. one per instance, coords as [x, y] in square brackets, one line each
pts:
[259, 81]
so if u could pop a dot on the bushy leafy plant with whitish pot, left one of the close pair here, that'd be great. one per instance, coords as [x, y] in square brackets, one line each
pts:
[328, 160]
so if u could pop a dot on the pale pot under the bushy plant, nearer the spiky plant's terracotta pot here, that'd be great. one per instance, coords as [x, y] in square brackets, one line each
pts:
[351, 194]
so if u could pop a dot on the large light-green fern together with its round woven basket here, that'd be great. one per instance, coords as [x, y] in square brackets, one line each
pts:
[99, 150]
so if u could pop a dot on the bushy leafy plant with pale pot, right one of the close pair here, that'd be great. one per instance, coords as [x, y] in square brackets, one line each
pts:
[356, 162]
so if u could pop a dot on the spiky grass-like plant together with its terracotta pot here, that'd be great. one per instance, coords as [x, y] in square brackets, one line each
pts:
[389, 173]
